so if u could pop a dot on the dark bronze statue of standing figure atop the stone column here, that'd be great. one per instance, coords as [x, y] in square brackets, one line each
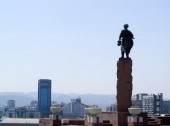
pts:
[126, 41]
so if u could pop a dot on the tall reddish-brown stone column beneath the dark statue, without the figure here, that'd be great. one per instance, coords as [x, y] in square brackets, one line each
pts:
[124, 89]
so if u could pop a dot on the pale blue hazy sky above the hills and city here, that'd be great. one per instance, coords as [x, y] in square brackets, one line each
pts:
[74, 43]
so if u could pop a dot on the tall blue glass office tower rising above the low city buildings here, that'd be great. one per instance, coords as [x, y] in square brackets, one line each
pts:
[44, 97]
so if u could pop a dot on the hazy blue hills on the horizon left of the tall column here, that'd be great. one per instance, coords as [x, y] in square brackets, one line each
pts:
[25, 98]
